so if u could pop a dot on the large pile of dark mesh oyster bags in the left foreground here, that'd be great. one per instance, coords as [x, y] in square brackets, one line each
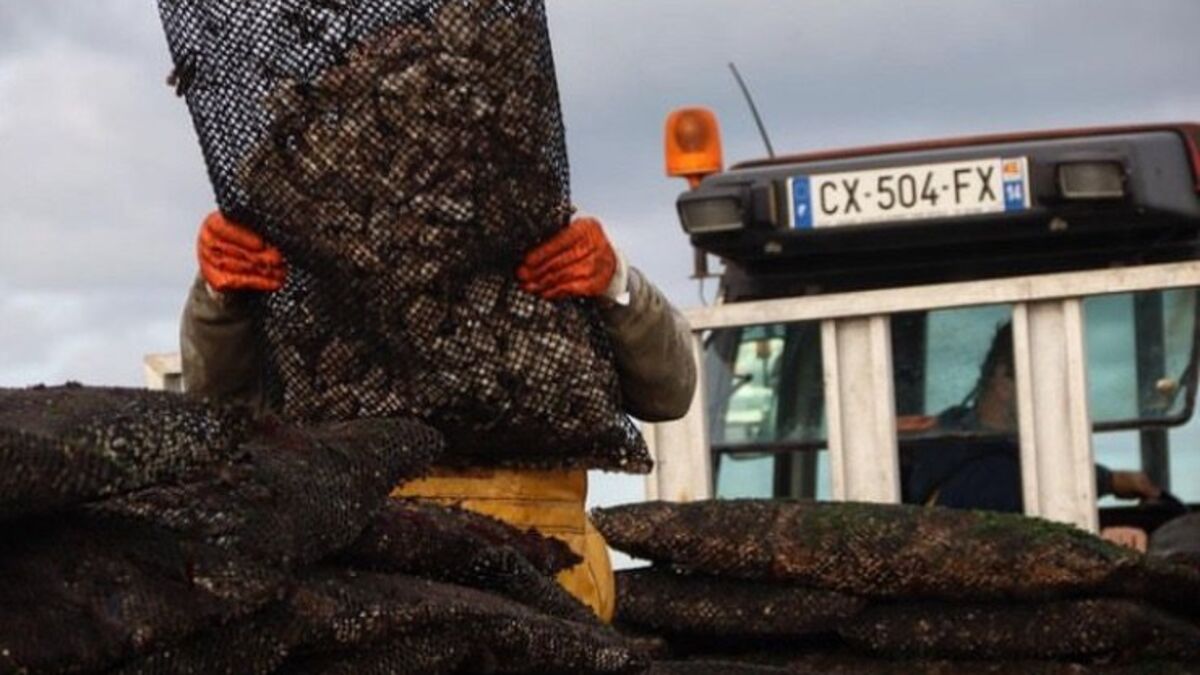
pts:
[149, 533]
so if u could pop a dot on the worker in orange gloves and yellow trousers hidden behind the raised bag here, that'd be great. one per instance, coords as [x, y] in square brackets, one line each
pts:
[652, 349]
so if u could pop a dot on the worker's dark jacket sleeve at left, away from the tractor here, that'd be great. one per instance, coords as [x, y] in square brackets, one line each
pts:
[219, 348]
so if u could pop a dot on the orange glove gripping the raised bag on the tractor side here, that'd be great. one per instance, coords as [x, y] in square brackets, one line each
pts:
[577, 262]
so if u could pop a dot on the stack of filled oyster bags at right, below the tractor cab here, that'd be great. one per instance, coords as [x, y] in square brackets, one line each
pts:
[849, 588]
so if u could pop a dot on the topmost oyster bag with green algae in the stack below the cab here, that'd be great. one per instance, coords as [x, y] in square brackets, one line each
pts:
[889, 551]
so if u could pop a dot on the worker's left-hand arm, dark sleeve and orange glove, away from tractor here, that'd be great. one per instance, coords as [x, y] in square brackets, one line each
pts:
[219, 343]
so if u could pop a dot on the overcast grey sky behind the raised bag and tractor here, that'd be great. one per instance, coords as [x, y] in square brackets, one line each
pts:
[103, 187]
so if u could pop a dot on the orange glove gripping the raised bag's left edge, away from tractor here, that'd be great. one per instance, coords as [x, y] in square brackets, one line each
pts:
[235, 259]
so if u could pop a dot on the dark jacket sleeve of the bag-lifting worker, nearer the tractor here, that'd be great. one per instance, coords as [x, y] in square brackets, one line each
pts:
[653, 348]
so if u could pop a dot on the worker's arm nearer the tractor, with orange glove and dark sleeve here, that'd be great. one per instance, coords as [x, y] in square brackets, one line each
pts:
[652, 342]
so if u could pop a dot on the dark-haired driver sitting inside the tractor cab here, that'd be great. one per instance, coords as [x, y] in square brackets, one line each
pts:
[982, 470]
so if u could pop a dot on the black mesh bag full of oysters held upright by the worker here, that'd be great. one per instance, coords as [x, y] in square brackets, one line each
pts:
[405, 156]
